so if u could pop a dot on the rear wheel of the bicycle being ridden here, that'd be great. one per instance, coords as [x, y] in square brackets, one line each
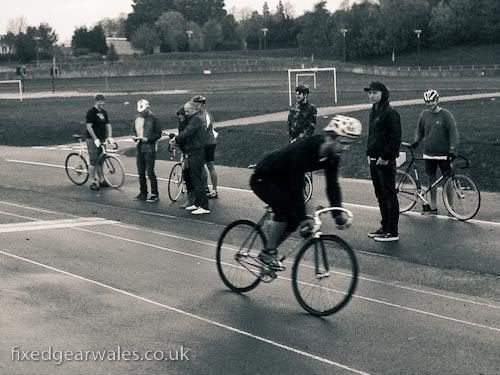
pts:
[237, 250]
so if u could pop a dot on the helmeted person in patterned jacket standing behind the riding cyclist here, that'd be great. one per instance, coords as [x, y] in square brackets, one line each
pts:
[301, 120]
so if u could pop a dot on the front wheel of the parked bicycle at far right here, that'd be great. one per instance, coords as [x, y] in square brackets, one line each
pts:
[461, 196]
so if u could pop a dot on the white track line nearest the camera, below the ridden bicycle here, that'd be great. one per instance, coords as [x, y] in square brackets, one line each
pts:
[191, 315]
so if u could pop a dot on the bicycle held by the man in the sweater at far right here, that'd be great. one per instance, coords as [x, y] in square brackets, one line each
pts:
[460, 193]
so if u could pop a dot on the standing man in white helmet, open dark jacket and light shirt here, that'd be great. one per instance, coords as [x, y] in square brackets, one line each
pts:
[146, 131]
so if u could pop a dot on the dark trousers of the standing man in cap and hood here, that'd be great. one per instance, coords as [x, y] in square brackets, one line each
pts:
[384, 183]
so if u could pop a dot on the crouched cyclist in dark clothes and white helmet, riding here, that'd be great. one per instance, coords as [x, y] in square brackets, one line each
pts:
[278, 180]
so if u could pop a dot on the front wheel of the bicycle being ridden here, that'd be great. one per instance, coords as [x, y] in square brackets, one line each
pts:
[324, 275]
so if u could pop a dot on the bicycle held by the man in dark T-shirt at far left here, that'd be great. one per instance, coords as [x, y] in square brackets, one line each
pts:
[77, 165]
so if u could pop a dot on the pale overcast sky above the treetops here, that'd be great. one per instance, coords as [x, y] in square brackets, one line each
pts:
[66, 15]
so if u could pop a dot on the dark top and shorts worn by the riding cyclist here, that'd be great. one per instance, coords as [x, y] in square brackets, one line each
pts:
[286, 168]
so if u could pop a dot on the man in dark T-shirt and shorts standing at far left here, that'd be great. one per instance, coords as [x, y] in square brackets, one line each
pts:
[98, 131]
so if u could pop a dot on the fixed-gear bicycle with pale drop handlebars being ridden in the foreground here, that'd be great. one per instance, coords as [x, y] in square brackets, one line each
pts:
[324, 272]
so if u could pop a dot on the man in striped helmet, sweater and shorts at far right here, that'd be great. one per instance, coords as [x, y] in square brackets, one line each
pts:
[438, 128]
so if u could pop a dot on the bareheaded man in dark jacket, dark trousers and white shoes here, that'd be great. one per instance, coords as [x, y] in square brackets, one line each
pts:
[193, 140]
